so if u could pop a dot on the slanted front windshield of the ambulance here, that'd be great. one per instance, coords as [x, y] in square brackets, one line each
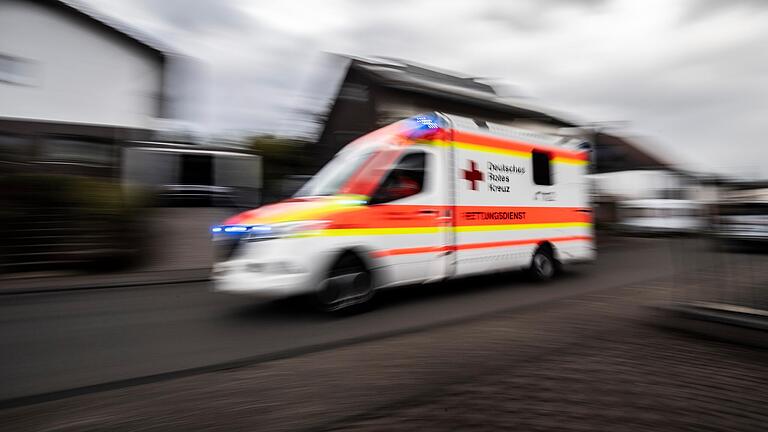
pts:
[333, 176]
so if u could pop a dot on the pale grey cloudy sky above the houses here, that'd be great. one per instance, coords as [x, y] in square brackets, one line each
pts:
[690, 76]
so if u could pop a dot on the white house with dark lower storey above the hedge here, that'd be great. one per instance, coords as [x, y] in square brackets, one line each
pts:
[72, 85]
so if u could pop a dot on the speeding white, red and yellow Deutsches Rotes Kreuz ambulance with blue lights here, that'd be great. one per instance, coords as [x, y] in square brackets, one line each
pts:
[425, 199]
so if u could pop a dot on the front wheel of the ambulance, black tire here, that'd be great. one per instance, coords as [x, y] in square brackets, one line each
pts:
[348, 286]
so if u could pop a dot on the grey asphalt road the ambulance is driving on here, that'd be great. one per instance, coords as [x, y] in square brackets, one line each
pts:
[58, 341]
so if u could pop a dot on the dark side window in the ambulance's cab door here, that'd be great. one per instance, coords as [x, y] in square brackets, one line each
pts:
[404, 180]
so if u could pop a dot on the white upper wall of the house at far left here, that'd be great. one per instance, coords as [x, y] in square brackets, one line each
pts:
[77, 71]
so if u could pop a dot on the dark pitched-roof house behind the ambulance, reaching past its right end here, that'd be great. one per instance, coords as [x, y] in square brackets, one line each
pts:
[376, 92]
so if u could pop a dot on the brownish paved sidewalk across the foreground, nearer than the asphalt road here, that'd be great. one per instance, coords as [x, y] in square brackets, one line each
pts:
[594, 362]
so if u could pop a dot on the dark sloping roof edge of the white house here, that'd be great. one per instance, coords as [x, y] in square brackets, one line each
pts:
[118, 29]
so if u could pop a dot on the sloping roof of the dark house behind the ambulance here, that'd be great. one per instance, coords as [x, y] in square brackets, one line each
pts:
[411, 77]
